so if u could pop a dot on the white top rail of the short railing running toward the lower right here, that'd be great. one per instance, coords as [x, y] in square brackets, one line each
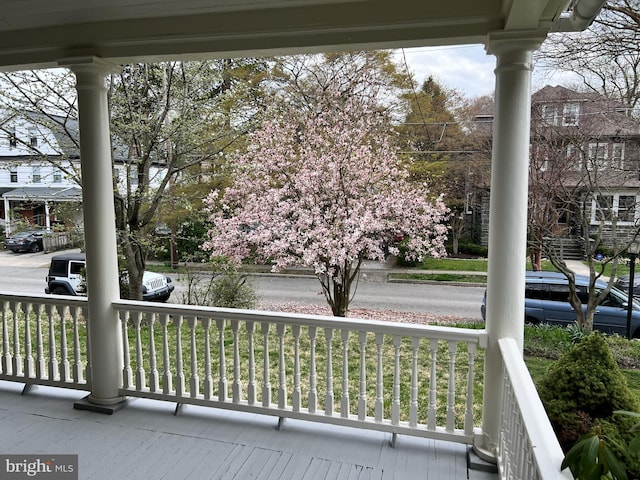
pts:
[546, 448]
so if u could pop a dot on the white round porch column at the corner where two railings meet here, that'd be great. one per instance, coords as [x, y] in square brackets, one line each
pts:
[507, 214]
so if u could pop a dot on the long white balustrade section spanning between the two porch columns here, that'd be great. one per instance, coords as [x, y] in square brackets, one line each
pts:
[394, 377]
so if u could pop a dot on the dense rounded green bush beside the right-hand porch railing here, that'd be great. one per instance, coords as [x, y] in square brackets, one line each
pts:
[582, 389]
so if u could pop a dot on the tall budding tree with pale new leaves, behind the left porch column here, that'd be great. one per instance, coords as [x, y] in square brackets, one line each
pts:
[167, 121]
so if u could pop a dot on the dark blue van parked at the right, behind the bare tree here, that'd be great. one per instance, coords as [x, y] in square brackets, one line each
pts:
[547, 301]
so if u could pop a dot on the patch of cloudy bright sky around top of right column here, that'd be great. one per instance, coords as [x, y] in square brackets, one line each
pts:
[467, 68]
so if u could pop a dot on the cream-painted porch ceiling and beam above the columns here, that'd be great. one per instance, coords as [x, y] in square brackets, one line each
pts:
[38, 33]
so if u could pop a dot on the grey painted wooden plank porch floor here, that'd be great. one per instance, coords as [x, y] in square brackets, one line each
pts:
[145, 440]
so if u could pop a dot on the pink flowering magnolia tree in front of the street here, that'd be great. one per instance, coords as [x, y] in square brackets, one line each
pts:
[324, 188]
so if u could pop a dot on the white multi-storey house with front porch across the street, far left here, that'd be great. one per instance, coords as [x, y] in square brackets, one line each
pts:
[40, 171]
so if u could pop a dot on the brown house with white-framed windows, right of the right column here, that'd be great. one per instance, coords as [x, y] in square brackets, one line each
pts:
[584, 167]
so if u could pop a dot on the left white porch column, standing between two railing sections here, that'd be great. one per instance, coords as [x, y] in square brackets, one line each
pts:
[105, 334]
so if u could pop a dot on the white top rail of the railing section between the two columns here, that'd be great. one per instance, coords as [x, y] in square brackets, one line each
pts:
[478, 336]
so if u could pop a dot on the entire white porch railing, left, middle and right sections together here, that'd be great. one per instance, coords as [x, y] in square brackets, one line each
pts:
[393, 377]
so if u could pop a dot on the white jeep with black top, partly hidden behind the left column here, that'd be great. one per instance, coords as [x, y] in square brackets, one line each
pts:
[67, 277]
